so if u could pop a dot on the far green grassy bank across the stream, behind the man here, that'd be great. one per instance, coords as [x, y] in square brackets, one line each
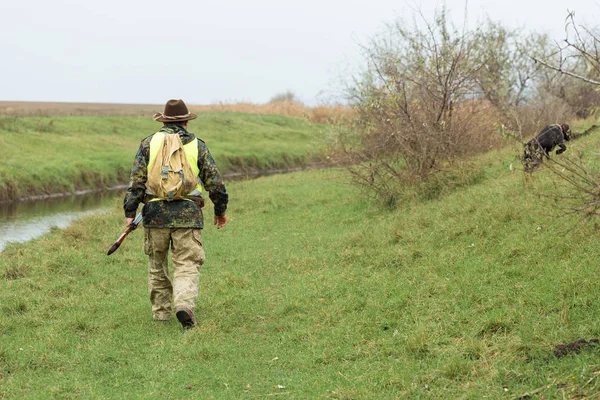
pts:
[57, 154]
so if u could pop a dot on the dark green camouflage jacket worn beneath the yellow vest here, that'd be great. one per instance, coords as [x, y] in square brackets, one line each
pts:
[177, 213]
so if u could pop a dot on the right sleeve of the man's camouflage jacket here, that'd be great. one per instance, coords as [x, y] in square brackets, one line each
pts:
[212, 180]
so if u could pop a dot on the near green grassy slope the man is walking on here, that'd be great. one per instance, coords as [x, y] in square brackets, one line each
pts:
[311, 292]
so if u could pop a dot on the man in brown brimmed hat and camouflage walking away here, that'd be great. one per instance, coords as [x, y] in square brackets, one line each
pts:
[174, 221]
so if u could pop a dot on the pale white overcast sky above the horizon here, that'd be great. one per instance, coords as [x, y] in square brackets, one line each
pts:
[205, 51]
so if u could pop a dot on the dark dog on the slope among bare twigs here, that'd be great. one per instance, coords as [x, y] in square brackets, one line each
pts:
[544, 142]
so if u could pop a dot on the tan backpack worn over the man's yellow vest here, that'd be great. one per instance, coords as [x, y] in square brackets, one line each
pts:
[170, 176]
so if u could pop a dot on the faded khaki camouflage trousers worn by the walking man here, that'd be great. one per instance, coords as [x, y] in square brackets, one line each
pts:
[187, 255]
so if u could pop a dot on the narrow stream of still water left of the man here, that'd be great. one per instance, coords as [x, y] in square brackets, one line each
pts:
[24, 220]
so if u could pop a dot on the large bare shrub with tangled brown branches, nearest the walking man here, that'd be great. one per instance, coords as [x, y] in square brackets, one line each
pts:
[418, 112]
